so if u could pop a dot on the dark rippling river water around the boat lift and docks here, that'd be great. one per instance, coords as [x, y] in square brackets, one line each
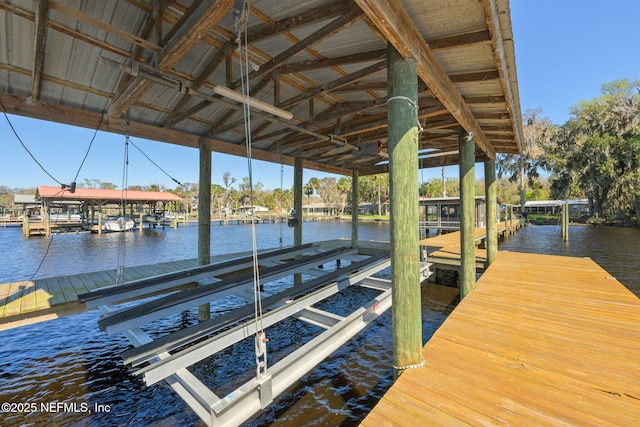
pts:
[69, 366]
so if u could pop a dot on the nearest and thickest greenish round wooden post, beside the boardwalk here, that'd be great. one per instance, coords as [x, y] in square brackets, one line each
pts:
[402, 76]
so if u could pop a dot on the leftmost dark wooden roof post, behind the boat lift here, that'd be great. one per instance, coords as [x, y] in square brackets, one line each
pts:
[204, 220]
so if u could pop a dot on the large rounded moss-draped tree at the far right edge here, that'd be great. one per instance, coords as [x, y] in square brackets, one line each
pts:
[600, 148]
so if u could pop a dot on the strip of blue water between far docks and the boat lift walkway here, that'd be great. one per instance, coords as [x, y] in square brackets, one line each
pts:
[65, 254]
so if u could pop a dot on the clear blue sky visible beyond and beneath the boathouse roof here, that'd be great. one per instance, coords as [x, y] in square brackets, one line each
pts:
[565, 51]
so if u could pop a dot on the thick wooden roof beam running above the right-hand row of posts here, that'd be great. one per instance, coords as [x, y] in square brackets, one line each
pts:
[392, 20]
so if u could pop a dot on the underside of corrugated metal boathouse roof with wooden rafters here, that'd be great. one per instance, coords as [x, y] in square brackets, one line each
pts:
[316, 59]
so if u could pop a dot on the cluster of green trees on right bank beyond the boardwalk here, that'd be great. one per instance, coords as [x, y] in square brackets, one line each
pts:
[594, 155]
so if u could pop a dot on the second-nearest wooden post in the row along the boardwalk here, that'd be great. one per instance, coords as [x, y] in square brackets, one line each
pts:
[467, 213]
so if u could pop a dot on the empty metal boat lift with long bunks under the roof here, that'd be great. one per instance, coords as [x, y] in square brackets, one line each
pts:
[168, 357]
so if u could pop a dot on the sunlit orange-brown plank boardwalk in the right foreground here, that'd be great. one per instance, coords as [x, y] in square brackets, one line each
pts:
[542, 341]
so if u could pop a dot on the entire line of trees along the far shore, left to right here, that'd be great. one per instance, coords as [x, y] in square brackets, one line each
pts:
[595, 155]
